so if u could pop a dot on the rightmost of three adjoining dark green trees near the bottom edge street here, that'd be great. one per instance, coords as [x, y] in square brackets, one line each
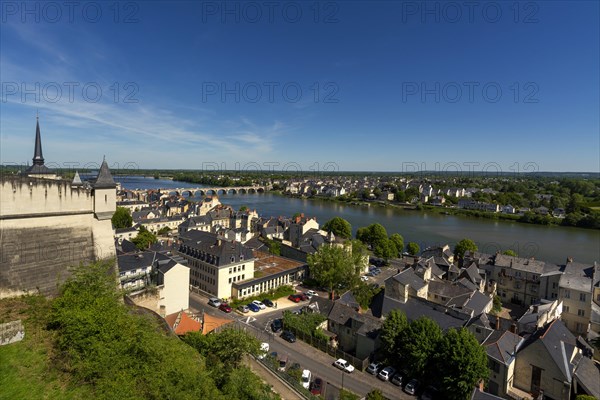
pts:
[463, 361]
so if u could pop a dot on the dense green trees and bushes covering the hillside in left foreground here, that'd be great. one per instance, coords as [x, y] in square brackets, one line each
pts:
[120, 354]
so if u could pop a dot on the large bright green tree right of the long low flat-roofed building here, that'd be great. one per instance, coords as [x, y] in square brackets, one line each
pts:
[332, 266]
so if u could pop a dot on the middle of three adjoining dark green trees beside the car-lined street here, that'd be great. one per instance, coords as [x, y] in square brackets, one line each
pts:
[418, 344]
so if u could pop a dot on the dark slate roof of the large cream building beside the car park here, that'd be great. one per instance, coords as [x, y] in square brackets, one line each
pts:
[209, 248]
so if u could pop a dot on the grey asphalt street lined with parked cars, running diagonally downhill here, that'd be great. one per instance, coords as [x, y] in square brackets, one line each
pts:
[319, 363]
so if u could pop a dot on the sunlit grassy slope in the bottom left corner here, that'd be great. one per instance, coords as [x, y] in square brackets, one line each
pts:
[26, 370]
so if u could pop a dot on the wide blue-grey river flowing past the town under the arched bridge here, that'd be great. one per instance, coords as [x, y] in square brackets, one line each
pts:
[549, 243]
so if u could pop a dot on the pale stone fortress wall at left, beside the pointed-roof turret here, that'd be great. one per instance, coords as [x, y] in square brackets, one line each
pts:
[45, 227]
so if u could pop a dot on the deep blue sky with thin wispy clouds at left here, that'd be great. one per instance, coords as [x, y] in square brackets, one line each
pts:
[354, 85]
